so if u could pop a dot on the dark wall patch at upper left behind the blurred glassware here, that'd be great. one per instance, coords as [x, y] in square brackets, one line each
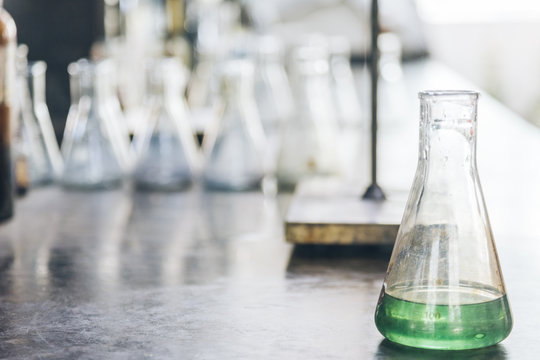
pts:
[58, 32]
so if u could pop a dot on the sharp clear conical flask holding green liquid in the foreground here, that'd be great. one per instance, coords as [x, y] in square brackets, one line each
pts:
[444, 287]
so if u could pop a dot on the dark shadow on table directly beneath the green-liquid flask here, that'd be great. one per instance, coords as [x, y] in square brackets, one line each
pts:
[388, 350]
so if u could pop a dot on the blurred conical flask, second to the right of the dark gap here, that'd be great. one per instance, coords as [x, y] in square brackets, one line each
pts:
[165, 146]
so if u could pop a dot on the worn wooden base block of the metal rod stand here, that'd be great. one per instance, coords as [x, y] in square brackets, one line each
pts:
[331, 211]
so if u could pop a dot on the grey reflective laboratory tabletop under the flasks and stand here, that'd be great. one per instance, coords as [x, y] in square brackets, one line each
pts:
[208, 275]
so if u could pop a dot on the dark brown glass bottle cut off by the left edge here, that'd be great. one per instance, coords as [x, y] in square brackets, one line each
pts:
[8, 34]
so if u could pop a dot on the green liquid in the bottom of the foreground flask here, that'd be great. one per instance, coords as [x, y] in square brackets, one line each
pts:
[443, 327]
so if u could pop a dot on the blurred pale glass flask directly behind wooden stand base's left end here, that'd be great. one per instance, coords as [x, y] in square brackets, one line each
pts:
[309, 142]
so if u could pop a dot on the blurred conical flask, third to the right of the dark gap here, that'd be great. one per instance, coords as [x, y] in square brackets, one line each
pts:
[235, 143]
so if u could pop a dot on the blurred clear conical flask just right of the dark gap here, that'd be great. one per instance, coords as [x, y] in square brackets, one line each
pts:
[93, 155]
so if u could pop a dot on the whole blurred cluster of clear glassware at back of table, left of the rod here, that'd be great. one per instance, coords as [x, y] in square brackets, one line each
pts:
[250, 109]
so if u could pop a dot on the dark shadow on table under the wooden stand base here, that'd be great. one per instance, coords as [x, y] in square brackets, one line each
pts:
[307, 259]
